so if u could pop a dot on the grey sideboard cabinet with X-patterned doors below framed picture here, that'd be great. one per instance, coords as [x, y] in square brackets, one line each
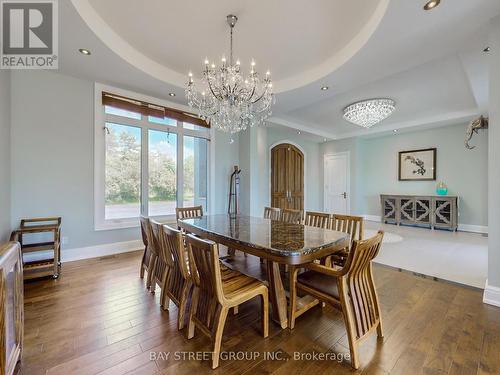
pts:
[429, 211]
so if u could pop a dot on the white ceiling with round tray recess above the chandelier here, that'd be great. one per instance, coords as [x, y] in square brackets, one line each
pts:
[430, 63]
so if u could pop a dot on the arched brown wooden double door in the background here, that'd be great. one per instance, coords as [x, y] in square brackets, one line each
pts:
[287, 177]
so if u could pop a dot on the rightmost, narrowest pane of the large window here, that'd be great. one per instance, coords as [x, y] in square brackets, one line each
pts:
[195, 172]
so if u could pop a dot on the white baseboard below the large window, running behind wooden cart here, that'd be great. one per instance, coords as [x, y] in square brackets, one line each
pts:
[69, 255]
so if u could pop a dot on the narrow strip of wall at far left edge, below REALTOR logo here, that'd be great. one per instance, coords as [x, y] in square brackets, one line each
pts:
[5, 192]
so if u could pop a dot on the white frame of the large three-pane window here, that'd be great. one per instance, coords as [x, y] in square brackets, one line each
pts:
[100, 118]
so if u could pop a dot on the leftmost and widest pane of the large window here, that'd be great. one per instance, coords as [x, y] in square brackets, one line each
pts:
[123, 172]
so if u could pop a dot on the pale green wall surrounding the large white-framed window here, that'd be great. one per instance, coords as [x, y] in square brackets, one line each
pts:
[52, 156]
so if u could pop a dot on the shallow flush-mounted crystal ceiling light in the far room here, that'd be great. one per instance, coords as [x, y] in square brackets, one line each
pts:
[369, 112]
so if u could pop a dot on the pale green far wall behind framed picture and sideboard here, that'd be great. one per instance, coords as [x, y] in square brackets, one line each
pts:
[374, 169]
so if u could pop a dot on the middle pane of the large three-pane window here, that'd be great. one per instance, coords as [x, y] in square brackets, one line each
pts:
[162, 173]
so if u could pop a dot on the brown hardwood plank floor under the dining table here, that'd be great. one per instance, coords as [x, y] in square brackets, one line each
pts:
[98, 318]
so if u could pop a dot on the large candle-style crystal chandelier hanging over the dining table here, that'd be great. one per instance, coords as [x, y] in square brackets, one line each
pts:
[228, 100]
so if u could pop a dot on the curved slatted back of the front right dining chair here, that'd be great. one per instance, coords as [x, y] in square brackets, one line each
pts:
[360, 284]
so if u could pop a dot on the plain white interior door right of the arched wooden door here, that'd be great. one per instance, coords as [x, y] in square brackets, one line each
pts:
[336, 187]
